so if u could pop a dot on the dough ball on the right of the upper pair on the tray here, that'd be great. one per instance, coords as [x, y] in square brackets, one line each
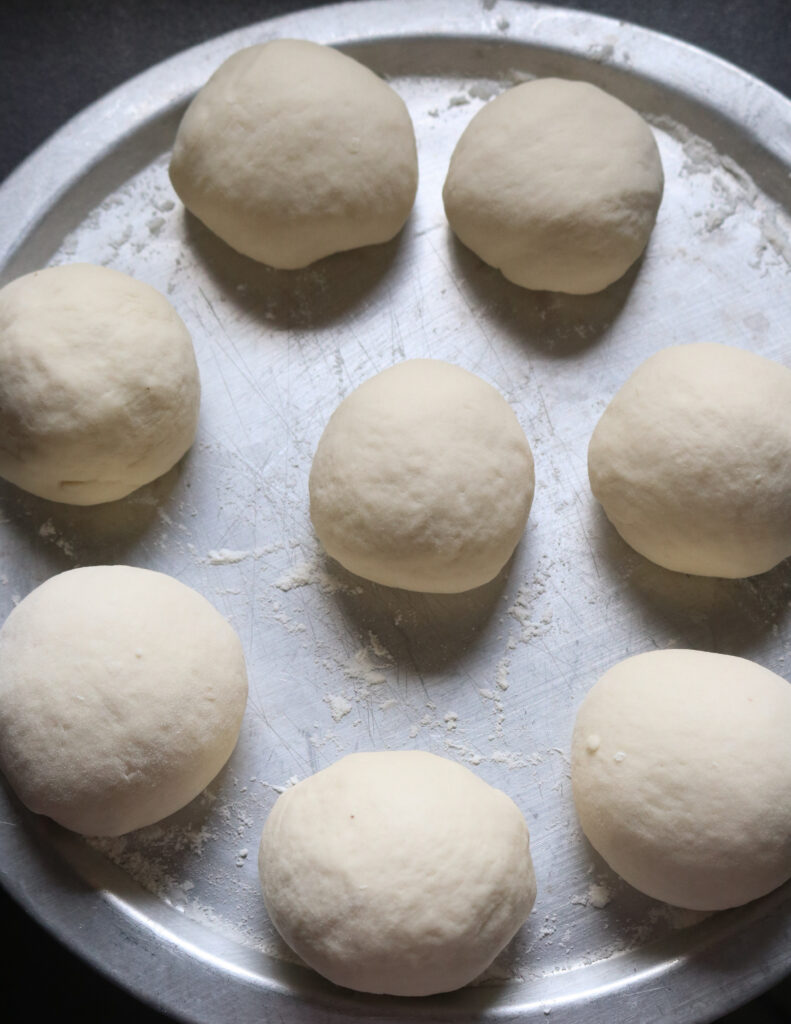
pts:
[556, 184]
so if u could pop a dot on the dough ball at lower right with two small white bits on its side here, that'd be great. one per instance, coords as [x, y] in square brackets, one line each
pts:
[682, 777]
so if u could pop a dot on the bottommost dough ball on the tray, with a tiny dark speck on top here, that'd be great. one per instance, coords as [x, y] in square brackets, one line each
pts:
[397, 873]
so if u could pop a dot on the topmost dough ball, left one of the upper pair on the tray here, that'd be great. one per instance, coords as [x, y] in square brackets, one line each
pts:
[294, 151]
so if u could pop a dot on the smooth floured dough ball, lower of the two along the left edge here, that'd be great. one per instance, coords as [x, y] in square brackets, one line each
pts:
[121, 698]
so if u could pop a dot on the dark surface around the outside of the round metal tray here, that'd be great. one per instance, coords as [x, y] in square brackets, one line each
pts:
[59, 56]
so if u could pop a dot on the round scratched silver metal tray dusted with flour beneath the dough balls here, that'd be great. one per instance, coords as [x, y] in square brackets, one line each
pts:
[491, 678]
